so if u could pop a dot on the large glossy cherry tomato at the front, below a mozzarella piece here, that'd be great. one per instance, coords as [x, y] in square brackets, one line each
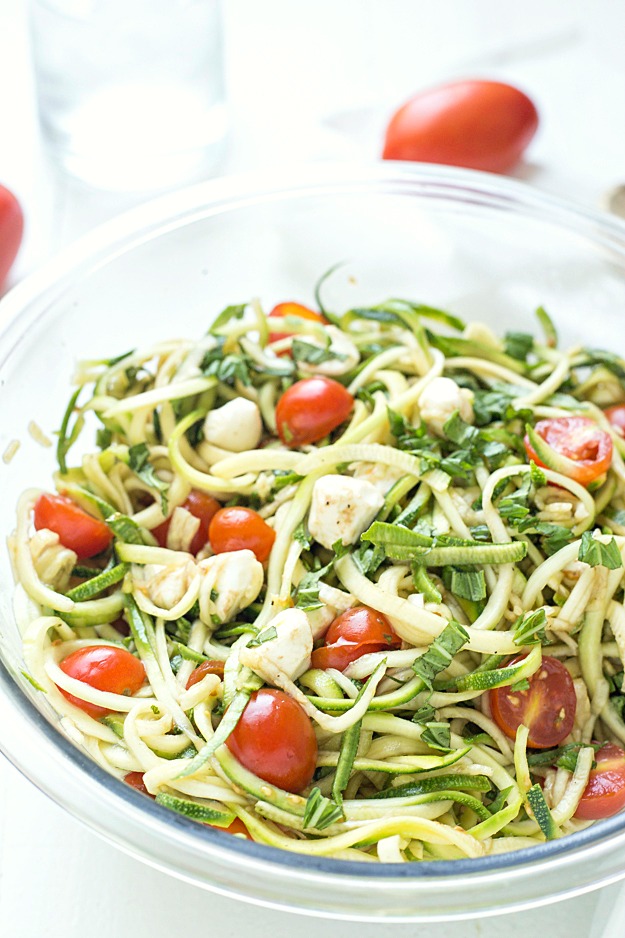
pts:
[275, 740]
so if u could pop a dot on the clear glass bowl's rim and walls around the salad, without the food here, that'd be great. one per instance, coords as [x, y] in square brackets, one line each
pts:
[485, 247]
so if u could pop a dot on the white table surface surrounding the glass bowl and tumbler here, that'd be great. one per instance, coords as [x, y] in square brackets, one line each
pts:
[306, 81]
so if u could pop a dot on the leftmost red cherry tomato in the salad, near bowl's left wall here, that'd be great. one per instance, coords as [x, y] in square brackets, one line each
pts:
[77, 530]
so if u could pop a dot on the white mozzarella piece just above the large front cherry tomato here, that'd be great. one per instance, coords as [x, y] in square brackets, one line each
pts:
[287, 653]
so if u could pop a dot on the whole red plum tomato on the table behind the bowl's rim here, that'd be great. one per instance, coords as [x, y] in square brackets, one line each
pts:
[480, 124]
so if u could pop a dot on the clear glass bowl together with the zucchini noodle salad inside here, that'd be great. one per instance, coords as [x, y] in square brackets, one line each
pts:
[314, 508]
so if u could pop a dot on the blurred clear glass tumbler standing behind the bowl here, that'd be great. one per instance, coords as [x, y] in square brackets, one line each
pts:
[131, 92]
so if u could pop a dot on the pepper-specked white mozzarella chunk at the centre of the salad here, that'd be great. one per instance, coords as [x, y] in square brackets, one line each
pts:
[342, 508]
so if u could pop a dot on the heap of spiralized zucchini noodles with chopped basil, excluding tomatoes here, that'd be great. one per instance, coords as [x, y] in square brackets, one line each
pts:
[481, 562]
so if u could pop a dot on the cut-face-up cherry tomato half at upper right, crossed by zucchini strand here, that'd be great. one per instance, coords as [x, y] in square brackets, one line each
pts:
[579, 439]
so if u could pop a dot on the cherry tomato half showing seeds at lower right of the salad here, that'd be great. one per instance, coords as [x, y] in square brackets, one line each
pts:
[547, 708]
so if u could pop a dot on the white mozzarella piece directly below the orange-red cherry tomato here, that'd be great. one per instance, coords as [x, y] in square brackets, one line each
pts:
[230, 582]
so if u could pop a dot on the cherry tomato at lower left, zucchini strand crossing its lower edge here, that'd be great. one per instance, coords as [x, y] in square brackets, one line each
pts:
[104, 667]
